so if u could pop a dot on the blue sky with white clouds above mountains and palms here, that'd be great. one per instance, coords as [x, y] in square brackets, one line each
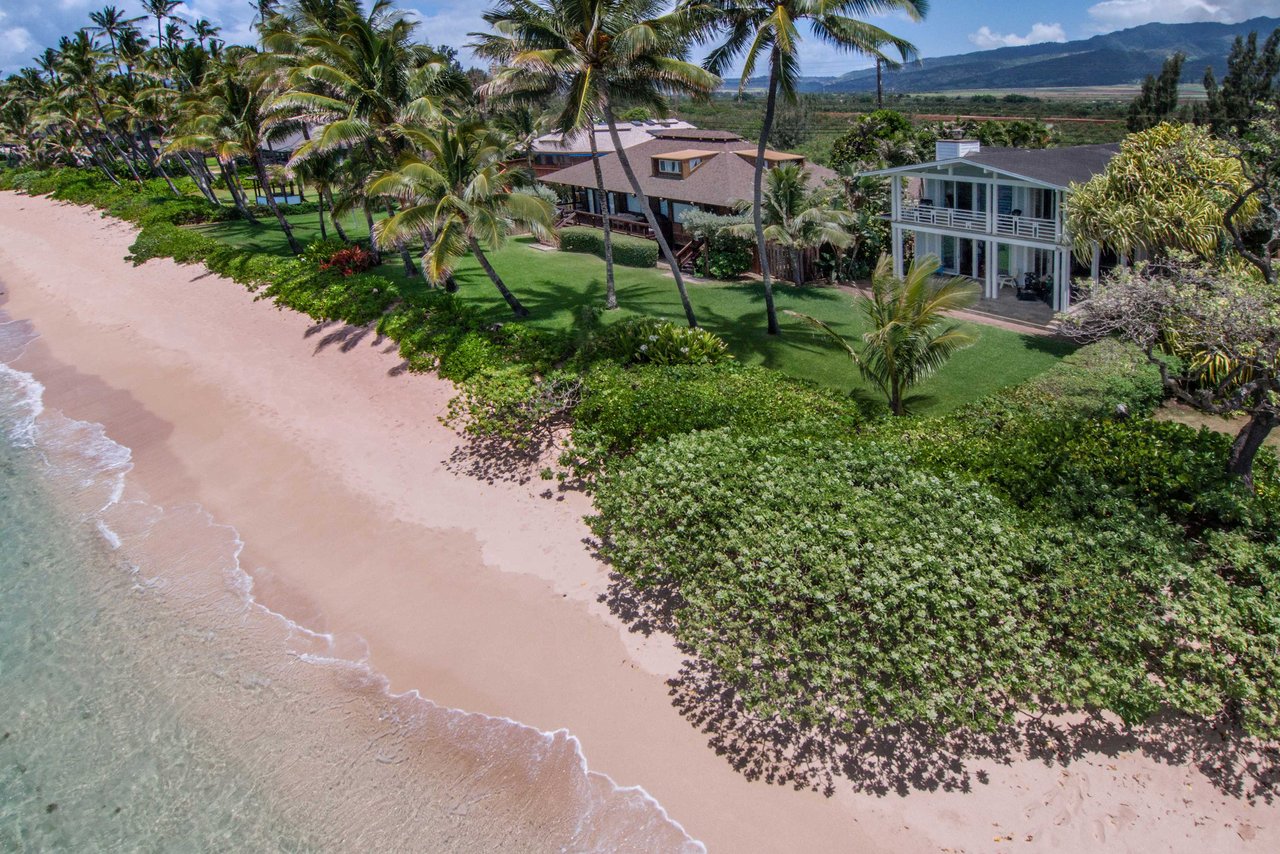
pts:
[952, 28]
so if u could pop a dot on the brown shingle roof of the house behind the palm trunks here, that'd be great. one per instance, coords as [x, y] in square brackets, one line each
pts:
[719, 182]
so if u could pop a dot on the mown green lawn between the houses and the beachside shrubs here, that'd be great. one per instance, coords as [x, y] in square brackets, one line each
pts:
[556, 286]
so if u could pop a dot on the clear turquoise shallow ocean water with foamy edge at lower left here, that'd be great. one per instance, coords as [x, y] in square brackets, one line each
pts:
[149, 704]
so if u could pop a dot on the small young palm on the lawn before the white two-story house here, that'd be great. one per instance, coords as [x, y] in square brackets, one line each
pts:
[909, 339]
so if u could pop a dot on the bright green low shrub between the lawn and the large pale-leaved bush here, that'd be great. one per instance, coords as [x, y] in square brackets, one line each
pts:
[625, 409]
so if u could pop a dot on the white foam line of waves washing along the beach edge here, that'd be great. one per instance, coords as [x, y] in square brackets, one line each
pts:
[84, 458]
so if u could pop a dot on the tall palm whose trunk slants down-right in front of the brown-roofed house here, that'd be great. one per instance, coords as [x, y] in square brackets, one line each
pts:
[595, 54]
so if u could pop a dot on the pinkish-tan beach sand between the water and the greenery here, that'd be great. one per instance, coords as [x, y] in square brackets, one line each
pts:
[362, 519]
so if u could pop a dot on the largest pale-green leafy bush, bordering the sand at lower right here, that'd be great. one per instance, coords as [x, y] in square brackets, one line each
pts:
[833, 582]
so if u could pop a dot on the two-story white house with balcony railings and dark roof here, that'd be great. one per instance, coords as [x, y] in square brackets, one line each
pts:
[996, 216]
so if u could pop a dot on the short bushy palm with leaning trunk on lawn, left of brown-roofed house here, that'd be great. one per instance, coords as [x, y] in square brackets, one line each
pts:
[463, 193]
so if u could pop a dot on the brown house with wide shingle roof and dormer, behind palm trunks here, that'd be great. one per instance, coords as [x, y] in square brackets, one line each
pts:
[680, 170]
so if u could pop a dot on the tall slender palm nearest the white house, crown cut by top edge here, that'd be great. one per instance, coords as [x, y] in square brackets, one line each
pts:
[756, 30]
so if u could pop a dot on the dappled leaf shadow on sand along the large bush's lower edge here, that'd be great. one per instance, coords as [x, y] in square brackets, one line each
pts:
[902, 760]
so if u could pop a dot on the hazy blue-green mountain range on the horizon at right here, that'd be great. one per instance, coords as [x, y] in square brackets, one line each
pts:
[1110, 60]
